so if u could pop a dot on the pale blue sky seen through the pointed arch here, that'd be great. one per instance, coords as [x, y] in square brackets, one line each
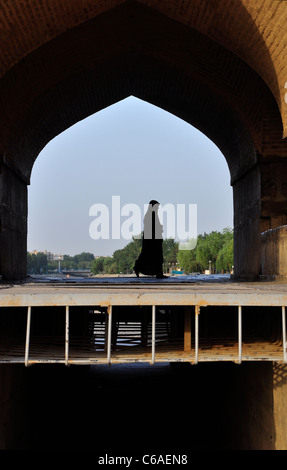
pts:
[133, 150]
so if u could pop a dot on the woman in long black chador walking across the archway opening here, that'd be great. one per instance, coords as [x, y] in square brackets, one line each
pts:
[151, 258]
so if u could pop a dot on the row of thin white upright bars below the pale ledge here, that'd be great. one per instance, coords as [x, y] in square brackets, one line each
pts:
[155, 333]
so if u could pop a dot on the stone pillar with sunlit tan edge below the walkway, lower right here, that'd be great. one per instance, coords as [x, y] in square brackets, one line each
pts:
[260, 413]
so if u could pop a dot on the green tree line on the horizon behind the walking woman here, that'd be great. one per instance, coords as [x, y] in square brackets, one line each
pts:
[216, 247]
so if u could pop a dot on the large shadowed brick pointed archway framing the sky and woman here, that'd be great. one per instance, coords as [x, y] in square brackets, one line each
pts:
[190, 58]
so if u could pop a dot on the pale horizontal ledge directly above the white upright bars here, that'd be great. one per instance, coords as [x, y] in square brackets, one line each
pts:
[160, 294]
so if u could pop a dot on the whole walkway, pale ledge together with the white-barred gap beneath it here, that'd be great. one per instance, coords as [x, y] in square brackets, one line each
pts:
[125, 320]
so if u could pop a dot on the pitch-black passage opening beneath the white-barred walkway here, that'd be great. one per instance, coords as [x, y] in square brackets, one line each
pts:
[132, 408]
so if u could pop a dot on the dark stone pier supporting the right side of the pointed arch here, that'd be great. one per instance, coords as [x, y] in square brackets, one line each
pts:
[247, 212]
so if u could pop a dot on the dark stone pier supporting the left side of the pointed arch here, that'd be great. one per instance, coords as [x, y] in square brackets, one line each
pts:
[13, 224]
